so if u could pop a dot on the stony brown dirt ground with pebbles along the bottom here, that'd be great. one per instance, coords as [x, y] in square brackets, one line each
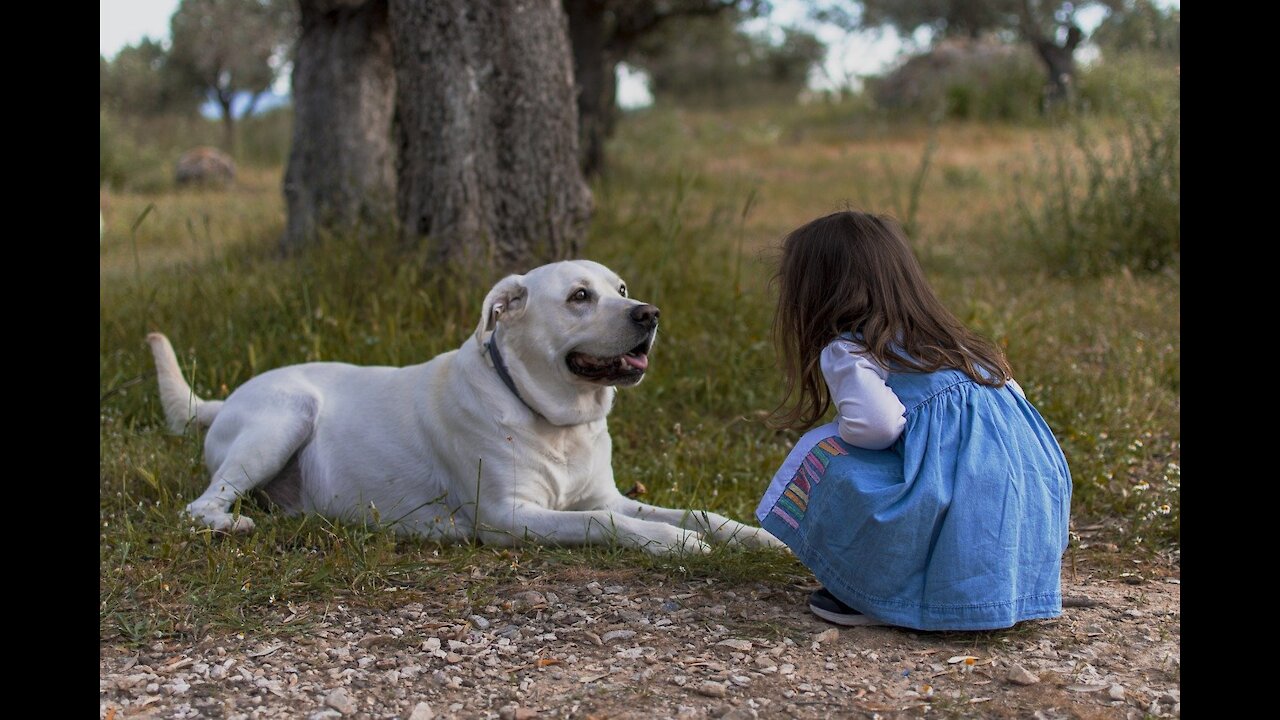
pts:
[577, 644]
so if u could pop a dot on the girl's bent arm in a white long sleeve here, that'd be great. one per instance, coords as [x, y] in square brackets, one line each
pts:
[867, 411]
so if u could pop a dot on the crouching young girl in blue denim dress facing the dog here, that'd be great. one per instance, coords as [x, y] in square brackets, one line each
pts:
[938, 499]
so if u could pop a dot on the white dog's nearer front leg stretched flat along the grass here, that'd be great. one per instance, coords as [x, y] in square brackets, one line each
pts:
[522, 523]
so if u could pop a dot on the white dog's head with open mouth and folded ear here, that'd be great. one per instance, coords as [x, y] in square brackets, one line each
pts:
[569, 330]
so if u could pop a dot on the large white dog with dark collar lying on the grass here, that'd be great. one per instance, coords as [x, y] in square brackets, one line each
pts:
[504, 440]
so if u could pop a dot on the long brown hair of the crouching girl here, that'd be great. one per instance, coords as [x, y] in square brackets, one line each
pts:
[854, 272]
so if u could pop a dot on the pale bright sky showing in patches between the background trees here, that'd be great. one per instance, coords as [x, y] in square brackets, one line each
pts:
[849, 56]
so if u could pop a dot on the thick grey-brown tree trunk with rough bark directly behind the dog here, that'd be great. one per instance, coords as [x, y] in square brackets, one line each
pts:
[487, 126]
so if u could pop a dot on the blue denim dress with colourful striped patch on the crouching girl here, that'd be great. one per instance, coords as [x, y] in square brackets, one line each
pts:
[958, 526]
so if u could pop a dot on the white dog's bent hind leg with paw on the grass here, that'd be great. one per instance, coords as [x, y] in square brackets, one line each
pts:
[255, 455]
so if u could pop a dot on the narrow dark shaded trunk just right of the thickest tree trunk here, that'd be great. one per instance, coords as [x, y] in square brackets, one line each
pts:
[596, 76]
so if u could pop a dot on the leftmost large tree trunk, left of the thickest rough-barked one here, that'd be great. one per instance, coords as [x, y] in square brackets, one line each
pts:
[341, 177]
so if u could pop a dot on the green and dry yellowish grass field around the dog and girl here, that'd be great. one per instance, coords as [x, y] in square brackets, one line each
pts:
[688, 216]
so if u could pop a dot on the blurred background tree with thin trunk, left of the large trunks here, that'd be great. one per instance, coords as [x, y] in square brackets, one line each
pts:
[231, 48]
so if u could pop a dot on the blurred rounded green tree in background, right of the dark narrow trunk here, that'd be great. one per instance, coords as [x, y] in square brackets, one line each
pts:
[712, 62]
